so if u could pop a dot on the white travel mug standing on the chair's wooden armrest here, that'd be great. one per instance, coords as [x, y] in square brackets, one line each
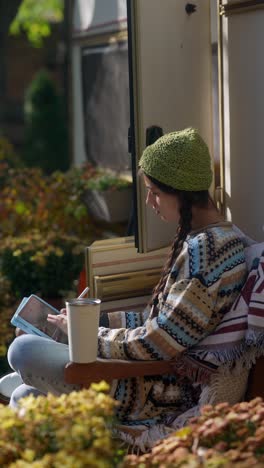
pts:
[83, 322]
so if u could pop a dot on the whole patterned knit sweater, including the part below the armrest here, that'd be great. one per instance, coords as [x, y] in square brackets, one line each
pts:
[203, 284]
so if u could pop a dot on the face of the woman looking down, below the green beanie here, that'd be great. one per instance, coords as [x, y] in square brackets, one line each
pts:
[165, 205]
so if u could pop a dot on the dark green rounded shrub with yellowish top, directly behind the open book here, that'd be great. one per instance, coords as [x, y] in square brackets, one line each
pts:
[46, 264]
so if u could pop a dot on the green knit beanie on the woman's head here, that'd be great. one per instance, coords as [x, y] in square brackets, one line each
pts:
[180, 160]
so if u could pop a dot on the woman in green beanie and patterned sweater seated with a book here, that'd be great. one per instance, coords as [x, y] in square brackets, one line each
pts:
[201, 279]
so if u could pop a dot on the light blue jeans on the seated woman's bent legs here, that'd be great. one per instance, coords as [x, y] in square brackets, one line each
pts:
[40, 363]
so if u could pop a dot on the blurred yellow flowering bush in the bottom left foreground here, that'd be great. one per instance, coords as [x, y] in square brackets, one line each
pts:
[70, 430]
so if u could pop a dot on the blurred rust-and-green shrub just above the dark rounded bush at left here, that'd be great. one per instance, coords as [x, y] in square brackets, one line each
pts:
[30, 200]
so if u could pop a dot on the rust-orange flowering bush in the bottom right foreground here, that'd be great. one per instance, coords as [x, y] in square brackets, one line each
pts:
[223, 436]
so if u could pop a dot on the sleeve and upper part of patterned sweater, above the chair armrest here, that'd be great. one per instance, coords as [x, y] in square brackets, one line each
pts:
[203, 284]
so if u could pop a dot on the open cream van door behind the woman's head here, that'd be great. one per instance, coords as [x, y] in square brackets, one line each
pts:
[170, 85]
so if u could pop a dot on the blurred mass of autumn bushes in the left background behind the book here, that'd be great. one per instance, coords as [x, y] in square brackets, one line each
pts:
[44, 228]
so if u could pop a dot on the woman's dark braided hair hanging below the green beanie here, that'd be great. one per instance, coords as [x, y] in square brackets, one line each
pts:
[187, 201]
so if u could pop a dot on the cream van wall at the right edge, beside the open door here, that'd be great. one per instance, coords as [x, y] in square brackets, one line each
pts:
[243, 116]
